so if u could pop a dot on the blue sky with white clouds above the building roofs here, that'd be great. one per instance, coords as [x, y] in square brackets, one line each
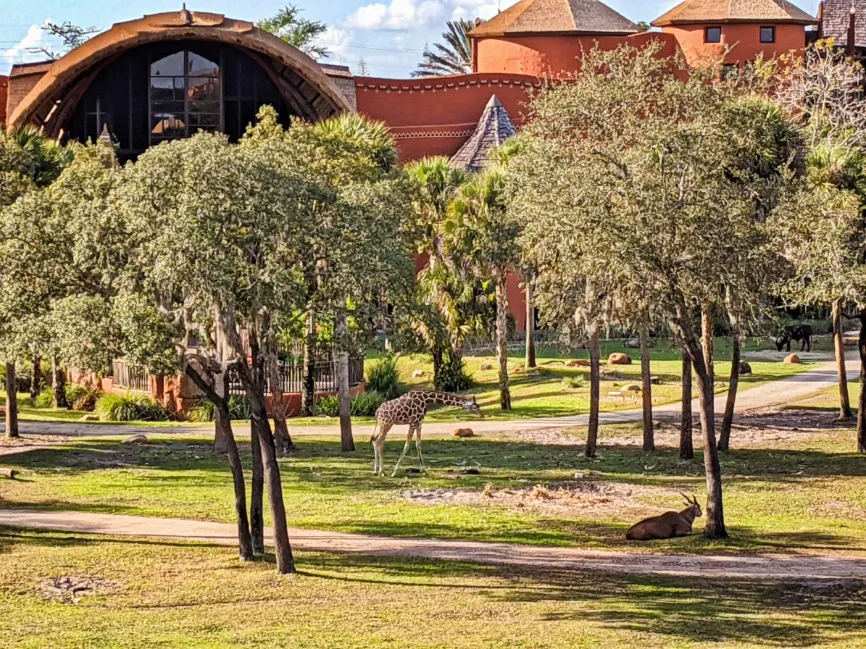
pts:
[388, 35]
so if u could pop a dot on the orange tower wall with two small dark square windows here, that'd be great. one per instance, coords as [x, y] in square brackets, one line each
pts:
[744, 39]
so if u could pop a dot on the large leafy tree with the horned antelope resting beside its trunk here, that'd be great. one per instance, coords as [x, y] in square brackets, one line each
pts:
[627, 185]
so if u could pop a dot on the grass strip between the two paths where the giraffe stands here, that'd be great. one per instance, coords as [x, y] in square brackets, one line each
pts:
[793, 492]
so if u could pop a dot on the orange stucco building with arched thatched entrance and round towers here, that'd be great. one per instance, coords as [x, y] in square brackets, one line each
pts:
[167, 75]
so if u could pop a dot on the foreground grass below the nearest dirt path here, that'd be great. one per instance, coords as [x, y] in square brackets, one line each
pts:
[167, 594]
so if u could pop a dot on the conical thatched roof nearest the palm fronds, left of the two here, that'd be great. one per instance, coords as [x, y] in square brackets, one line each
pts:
[556, 17]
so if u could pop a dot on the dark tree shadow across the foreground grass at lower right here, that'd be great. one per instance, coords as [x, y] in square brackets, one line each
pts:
[754, 613]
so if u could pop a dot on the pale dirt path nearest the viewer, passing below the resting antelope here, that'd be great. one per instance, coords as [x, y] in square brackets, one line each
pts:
[764, 567]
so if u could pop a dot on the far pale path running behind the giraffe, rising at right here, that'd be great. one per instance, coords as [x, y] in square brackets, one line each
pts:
[782, 391]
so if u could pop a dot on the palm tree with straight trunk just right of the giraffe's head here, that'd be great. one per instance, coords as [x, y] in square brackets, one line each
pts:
[478, 230]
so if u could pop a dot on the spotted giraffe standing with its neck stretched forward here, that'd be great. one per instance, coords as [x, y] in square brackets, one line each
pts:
[410, 409]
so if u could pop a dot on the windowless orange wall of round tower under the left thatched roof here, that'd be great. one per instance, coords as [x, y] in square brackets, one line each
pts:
[553, 55]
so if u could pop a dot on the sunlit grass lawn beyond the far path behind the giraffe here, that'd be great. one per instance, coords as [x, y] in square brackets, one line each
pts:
[544, 392]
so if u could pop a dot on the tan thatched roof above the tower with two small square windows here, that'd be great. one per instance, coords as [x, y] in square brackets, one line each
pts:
[734, 11]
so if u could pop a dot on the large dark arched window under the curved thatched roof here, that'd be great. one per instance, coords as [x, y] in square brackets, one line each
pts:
[173, 90]
